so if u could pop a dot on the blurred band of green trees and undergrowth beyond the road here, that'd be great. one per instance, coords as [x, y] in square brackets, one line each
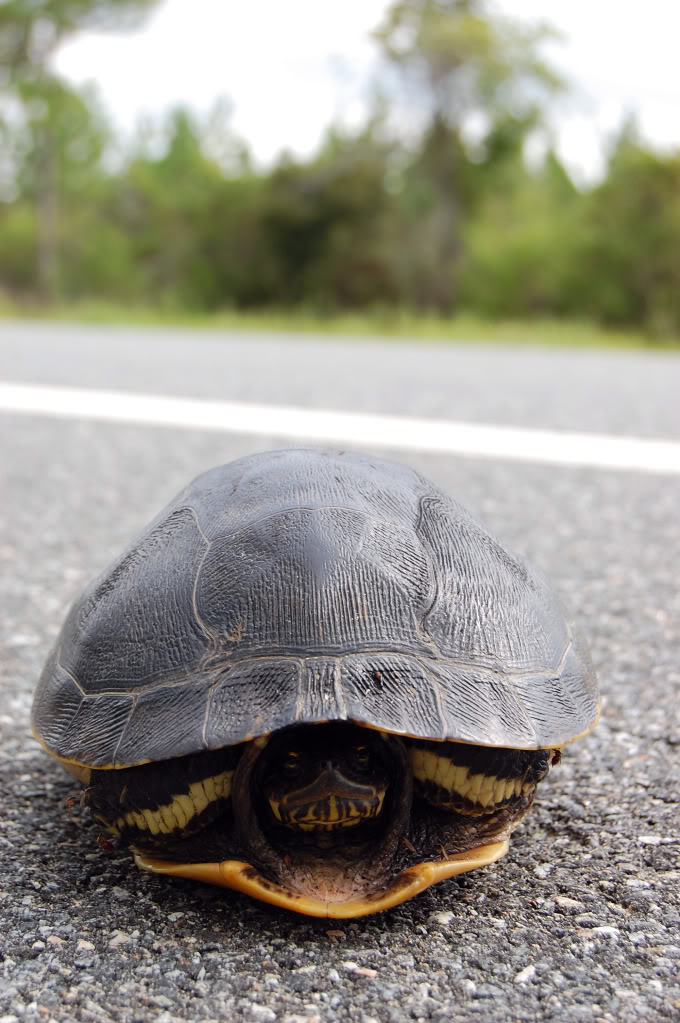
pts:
[448, 220]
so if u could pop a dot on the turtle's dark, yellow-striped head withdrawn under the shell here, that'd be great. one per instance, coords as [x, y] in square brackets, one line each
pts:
[326, 780]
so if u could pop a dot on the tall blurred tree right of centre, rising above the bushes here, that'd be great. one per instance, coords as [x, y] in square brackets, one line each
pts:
[457, 61]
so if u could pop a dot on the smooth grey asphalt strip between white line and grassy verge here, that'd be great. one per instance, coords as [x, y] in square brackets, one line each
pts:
[628, 393]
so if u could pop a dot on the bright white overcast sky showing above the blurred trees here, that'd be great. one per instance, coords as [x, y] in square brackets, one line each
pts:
[291, 67]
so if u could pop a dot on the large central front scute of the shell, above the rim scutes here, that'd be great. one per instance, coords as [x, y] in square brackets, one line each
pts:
[313, 581]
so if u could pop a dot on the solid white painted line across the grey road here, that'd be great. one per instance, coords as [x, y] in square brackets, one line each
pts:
[552, 447]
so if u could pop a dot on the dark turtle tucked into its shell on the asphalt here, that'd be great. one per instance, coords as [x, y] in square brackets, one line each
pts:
[319, 680]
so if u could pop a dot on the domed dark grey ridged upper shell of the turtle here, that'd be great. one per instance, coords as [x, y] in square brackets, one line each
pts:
[306, 586]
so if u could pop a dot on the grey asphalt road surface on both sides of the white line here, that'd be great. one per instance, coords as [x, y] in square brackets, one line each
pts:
[580, 922]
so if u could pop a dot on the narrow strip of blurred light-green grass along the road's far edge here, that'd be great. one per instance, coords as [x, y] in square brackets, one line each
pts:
[379, 324]
